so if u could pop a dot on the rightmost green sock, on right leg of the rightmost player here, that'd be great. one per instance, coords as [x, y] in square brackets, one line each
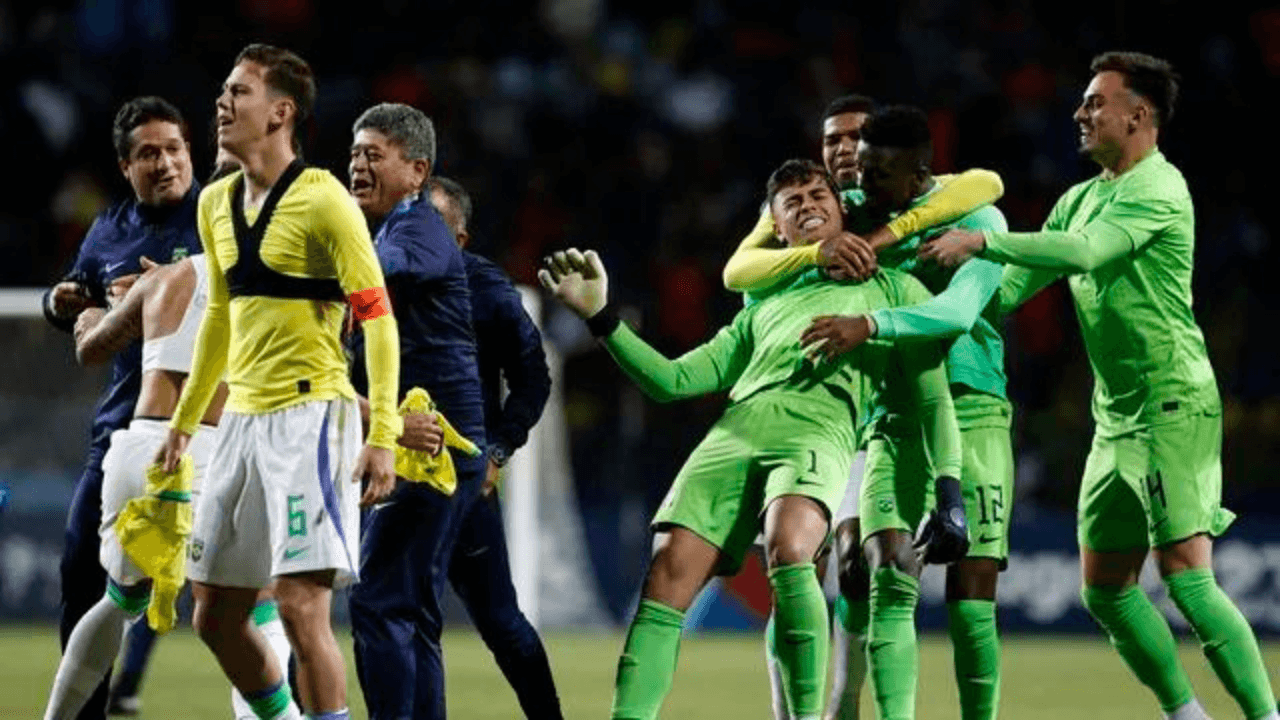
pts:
[1228, 641]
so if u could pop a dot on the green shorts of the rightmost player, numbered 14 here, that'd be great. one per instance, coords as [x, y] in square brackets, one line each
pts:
[1155, 486]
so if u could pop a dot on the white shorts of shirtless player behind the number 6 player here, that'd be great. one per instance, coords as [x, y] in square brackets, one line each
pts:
[125, 477]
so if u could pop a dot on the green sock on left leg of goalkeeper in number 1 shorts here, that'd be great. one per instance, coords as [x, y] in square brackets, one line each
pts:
[648, 662]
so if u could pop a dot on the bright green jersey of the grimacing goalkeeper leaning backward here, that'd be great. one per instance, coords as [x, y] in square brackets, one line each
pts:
[761, 352]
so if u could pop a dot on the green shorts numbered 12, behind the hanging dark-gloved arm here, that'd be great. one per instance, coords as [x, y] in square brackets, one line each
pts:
[898, 486]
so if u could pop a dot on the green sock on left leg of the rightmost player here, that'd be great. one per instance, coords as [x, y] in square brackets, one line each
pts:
[1144, 640]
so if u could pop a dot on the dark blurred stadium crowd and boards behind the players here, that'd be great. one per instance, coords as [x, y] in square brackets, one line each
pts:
[647, 131]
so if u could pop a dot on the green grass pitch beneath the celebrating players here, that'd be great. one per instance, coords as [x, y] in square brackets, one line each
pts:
[720, 677]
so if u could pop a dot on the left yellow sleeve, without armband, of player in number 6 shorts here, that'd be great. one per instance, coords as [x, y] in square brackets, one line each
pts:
[213, 341]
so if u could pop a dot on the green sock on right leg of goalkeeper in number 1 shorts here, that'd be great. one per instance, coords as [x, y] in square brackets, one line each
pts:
[801, 640]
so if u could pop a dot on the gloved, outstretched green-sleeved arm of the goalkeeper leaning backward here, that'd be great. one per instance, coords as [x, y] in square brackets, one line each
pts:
[580, 282]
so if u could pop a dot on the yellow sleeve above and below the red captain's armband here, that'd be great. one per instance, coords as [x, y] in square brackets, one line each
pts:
[341, 227]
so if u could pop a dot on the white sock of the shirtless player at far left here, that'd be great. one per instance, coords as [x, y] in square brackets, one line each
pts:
[90, 653]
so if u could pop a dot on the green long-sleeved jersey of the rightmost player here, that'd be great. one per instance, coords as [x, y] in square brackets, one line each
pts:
[1128, 245]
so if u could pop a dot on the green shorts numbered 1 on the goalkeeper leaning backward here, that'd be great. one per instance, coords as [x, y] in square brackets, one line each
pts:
[775, 444]
